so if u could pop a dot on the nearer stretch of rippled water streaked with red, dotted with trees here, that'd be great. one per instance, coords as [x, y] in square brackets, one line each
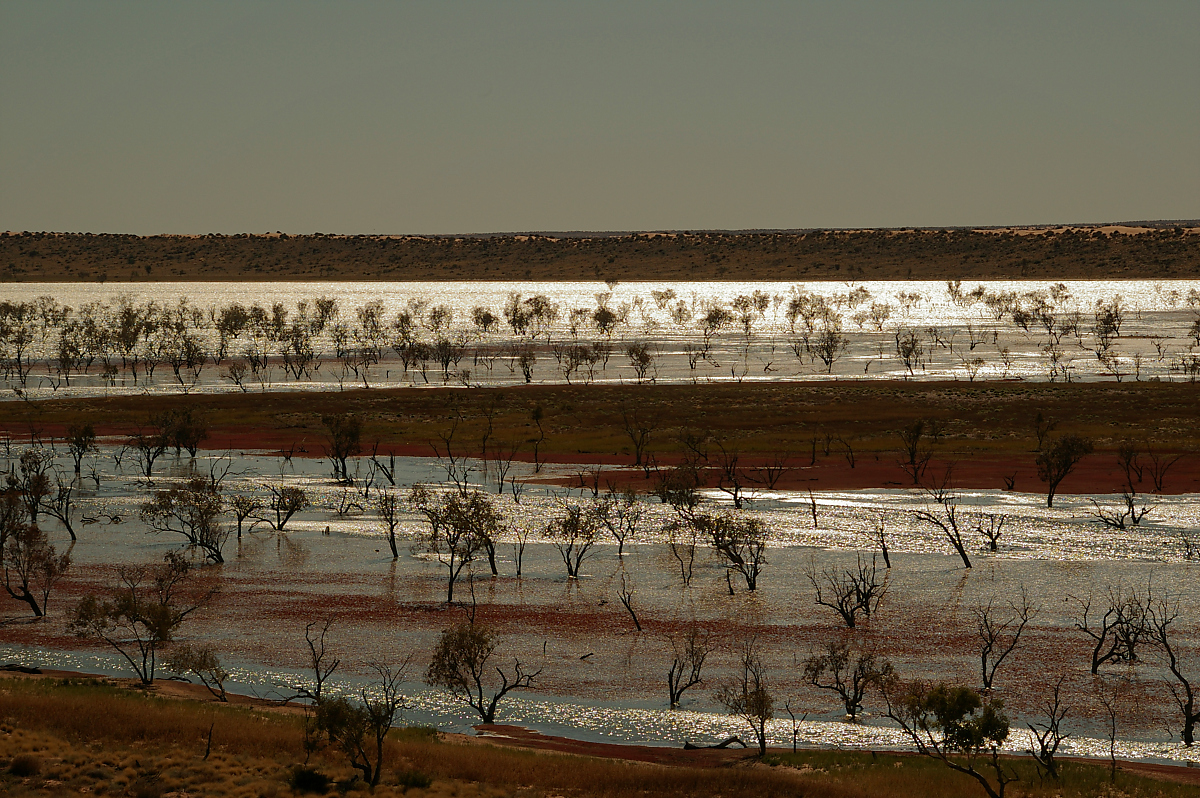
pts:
[604, 681]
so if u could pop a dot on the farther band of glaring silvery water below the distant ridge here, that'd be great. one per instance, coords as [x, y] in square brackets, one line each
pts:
[963, 338]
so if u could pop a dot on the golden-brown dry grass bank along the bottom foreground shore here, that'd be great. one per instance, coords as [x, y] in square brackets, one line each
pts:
[61, 739]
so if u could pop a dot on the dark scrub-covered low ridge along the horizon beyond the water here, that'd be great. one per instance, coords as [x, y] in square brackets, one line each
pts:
[1157, 253]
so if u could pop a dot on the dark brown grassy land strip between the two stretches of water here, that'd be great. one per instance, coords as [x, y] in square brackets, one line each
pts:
[980, 419]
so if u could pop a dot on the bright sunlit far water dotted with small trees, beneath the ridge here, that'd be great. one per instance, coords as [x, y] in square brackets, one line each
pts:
[898, 329]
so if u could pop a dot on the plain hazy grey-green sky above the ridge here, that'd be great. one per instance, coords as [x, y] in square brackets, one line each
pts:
[502, 117]
